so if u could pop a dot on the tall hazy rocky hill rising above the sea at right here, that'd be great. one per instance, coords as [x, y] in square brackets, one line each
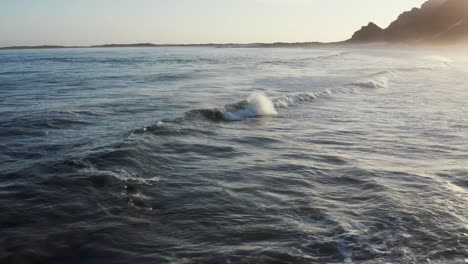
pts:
[437, 21]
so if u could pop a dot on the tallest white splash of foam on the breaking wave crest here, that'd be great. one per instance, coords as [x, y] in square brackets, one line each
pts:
[256, 105]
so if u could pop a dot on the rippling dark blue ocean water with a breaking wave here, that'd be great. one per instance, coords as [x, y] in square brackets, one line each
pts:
[234, 155]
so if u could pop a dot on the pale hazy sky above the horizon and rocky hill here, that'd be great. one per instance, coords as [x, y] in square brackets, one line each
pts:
[84, 22]
